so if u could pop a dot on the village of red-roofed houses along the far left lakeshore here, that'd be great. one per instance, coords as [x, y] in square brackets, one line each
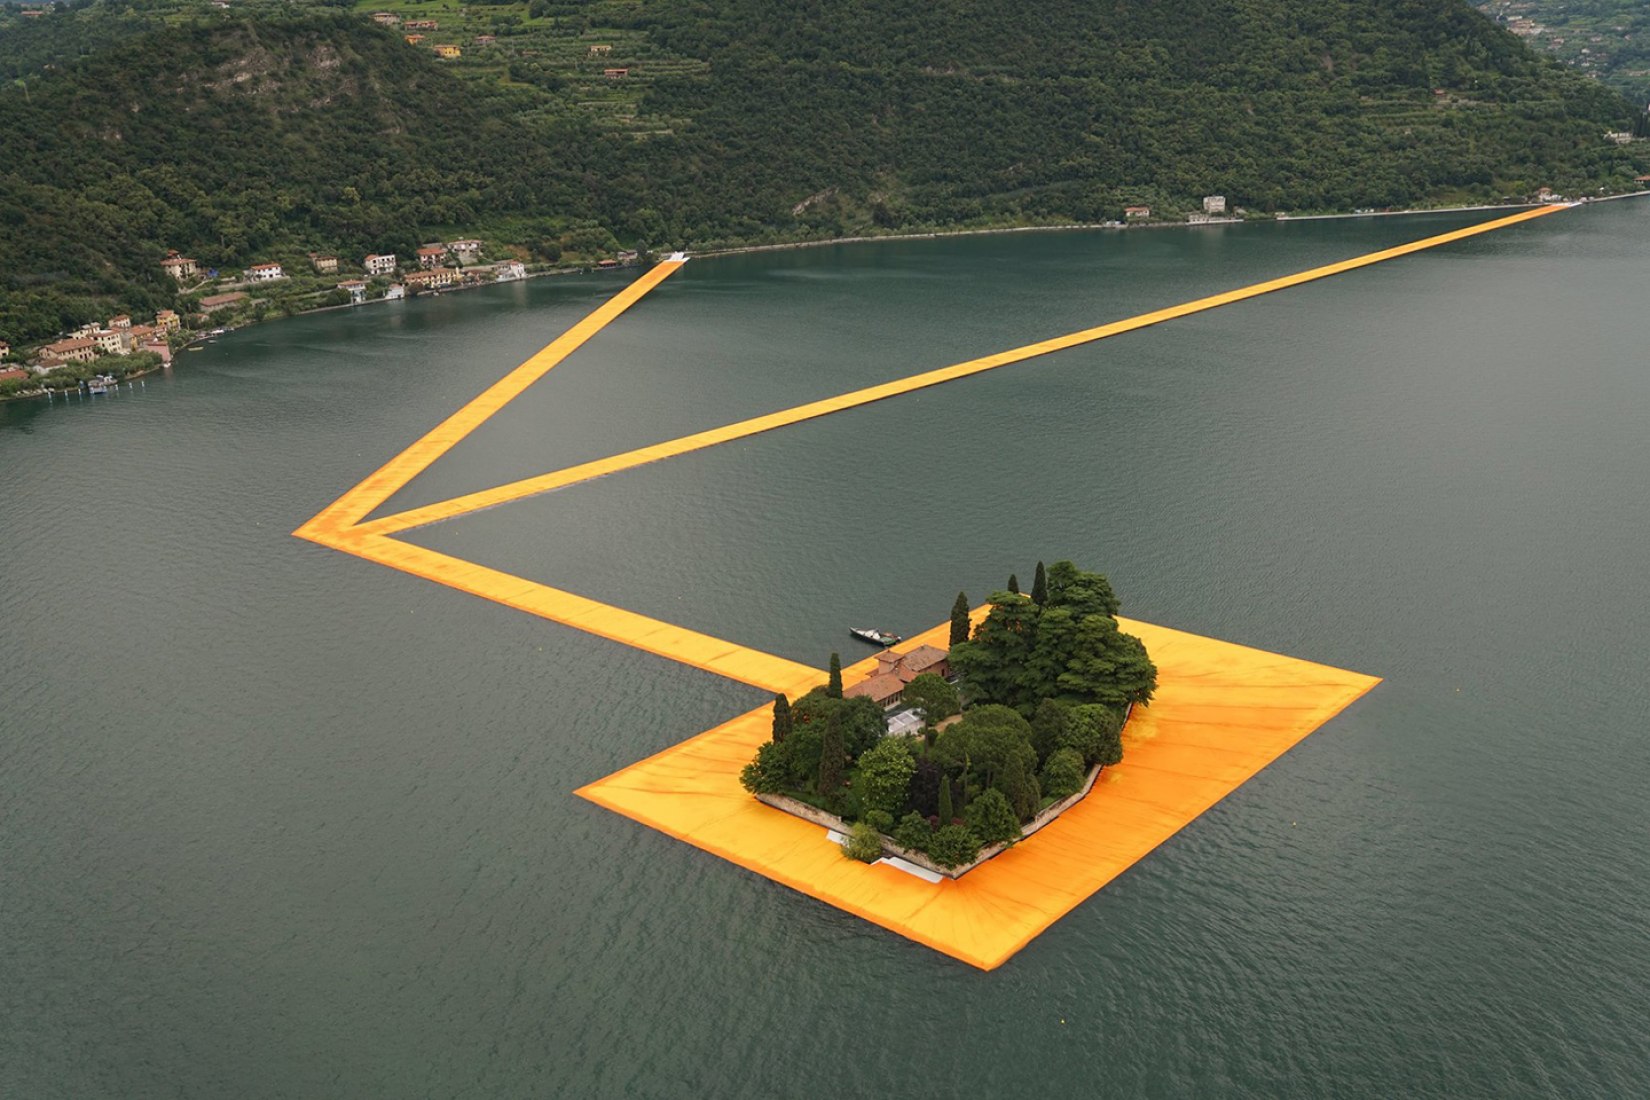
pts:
[100, 355]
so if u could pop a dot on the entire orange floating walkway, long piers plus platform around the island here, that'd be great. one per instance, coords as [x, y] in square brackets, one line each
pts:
[1222, 715]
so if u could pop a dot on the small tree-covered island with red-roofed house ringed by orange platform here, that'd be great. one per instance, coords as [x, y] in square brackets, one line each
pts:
[946, 758]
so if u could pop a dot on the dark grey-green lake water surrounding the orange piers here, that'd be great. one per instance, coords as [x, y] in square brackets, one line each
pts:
[281, 824]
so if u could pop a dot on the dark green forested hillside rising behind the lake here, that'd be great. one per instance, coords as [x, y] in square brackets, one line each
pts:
[133, 128]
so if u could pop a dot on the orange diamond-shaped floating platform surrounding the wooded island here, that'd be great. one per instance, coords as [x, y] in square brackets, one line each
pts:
[1222, 713]
